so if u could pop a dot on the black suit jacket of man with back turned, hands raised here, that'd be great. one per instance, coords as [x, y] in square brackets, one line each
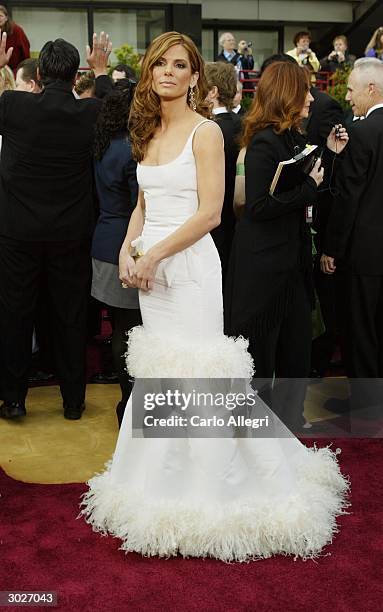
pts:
[46, 180]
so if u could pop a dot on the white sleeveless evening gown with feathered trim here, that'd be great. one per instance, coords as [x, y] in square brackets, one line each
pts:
[228, 498]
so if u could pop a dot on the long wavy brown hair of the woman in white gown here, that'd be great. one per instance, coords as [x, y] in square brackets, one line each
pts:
[145, 115]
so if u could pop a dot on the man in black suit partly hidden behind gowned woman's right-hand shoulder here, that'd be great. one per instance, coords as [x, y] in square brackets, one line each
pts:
[222, 83]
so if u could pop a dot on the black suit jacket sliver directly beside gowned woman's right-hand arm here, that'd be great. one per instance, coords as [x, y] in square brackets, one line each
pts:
[230, 125]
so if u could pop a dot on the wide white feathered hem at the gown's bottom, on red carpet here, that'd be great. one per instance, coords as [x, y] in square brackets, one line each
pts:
[300, 524]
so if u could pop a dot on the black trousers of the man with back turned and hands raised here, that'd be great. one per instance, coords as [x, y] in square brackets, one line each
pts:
[63, 270]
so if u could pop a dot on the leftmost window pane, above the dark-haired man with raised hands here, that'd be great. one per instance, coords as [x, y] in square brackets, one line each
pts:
[42, 24]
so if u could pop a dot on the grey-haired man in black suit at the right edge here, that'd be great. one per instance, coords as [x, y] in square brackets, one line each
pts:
[354, 235]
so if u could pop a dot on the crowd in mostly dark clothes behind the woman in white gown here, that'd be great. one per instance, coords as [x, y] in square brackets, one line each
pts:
[60, 207]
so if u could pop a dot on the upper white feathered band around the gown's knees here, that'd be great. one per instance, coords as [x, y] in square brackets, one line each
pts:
[151, 356]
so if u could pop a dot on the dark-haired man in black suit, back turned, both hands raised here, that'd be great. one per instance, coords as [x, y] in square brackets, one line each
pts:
[46, 221]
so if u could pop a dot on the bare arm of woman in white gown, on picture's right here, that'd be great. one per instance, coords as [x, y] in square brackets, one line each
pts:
[210, 163]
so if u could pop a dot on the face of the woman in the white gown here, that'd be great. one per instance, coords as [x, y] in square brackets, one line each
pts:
[172, 74]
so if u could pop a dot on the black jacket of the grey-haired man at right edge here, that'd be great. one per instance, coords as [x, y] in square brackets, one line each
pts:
[355, 228]
